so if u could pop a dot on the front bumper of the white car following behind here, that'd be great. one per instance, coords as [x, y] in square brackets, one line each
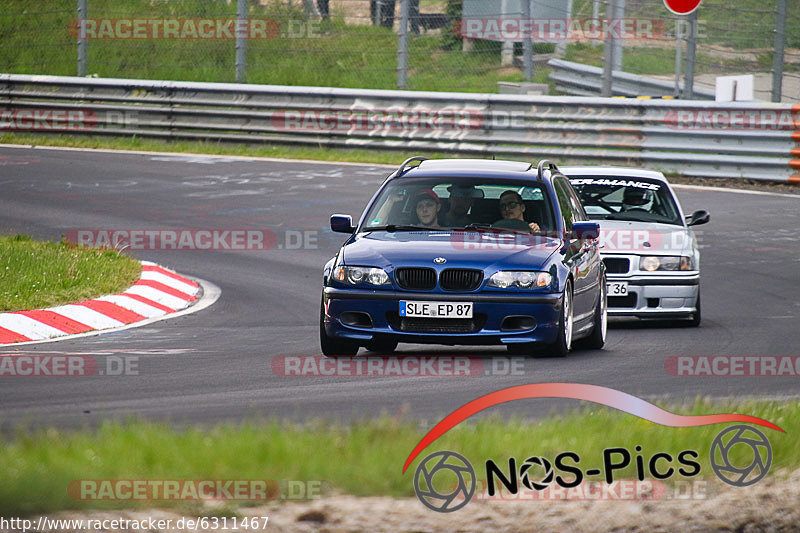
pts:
[656, 296]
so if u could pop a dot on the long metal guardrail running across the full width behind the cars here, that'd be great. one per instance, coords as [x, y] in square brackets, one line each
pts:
[690, 138]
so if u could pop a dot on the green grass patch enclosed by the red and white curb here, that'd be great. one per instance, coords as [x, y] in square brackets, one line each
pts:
[43, 274]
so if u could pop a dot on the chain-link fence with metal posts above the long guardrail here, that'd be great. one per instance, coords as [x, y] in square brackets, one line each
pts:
[452, 45]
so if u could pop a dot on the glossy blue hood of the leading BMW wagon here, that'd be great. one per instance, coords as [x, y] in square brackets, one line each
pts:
[473, 249]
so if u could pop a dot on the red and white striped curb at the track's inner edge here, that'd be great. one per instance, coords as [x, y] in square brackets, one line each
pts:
[159, 293]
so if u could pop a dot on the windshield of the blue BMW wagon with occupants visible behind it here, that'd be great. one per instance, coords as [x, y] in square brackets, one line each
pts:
[461, 203]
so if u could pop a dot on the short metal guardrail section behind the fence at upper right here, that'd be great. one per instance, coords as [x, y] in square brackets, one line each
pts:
[585, 80]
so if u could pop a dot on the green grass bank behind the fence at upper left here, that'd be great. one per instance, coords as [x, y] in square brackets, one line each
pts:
[338, 54]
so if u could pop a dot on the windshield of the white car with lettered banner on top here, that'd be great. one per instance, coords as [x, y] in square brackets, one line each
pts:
[625, 198]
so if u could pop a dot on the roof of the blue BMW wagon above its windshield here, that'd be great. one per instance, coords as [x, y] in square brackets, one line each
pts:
[482, 168]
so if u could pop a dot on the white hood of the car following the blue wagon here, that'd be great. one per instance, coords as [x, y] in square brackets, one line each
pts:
[627, 237]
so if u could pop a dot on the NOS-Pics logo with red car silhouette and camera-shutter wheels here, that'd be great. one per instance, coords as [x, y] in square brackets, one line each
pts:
[445, 481]
